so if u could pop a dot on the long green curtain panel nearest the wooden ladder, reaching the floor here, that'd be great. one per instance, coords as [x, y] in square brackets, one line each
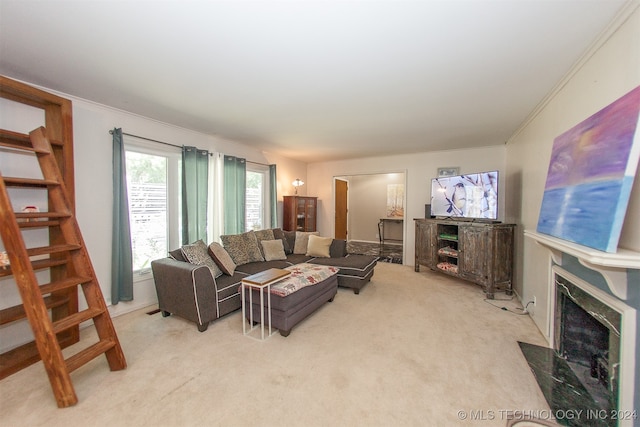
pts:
[121, 252]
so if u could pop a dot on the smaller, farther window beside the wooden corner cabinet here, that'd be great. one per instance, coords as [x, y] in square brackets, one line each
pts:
[257, 200]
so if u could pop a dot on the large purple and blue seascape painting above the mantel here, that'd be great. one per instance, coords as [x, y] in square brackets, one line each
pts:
[590, 176]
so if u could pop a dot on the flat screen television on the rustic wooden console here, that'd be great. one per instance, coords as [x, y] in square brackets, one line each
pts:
[472, 195]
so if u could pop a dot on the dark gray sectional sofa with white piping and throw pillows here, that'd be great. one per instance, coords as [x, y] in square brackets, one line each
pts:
[202, 290]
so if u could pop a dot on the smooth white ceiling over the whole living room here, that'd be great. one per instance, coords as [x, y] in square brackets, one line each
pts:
[312, 80]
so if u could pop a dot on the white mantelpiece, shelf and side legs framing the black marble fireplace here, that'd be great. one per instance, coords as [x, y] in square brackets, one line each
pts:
[613, 268]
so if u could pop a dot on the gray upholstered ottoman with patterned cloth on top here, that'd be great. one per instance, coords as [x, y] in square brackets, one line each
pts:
[293, 299]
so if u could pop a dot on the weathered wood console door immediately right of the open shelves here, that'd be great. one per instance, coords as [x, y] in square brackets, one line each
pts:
[473, 253]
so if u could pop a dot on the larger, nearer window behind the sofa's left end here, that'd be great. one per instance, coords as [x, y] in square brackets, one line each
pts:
[152, 177]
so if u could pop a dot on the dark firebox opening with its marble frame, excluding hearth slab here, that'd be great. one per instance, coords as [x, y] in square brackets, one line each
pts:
[587, 336]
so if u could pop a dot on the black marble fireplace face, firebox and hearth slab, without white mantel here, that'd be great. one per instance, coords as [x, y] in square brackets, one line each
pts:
[583, 371]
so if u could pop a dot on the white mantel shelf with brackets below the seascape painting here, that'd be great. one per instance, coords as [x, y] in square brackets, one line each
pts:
[612, 266]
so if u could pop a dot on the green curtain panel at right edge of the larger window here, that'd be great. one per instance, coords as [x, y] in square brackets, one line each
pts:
[195, 171]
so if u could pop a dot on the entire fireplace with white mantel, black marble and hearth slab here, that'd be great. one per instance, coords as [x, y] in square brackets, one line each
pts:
[591, 363]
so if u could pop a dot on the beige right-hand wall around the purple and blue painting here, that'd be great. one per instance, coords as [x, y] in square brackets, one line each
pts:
[610, 71]
